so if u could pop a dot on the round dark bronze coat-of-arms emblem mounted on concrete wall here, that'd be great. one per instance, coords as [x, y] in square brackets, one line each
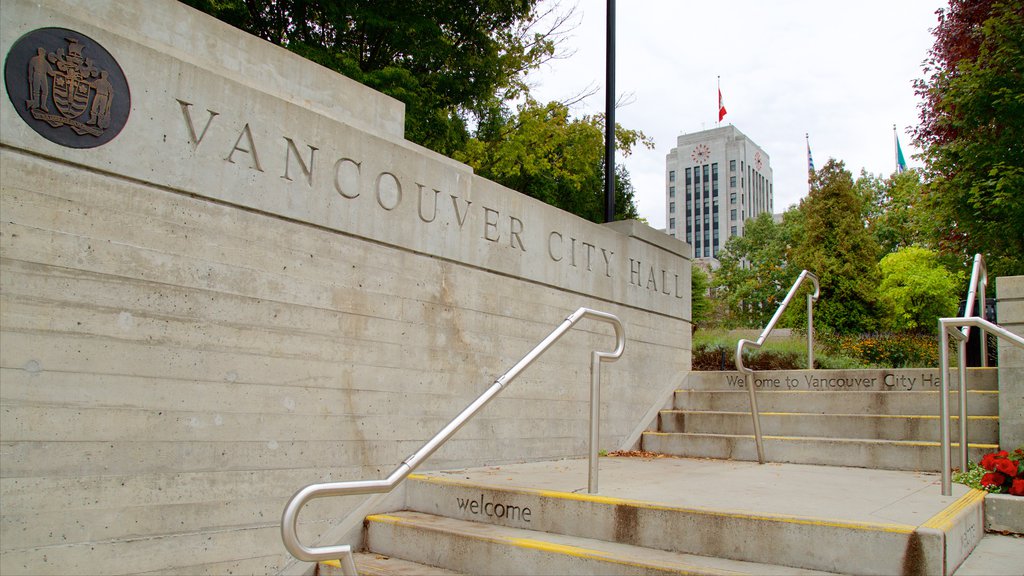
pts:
[67, 88]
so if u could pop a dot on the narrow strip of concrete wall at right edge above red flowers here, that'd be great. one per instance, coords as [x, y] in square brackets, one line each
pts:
[1010, 300]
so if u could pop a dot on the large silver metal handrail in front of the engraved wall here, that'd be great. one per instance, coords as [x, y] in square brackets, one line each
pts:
[379, 488]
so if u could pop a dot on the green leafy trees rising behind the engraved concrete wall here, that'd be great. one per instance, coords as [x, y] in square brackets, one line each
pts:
[456, 65]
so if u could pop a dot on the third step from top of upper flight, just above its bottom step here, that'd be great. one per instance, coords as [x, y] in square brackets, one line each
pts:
[984, 430]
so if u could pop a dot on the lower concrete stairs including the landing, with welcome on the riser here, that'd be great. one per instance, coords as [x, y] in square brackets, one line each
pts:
[484, 522]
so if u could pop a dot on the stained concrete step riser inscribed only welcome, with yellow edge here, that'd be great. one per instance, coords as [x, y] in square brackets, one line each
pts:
[812, 544]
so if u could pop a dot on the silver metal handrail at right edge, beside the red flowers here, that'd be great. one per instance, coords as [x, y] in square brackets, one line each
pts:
[947, 330]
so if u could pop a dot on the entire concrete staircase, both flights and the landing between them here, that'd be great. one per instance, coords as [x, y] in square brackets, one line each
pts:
[699, 516]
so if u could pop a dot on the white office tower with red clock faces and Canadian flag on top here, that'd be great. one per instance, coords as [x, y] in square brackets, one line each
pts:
[715, 181]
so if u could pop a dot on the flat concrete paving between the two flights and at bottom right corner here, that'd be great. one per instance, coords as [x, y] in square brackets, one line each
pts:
[829, 495]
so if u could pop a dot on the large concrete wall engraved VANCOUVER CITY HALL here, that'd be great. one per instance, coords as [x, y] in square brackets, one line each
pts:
[258, 285]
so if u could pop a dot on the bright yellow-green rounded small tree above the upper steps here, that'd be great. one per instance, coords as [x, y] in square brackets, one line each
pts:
[917, 291]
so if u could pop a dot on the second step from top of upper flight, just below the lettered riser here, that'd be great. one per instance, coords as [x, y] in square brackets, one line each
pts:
[980, 403]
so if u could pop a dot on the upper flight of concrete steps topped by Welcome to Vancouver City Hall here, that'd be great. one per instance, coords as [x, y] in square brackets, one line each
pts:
[876, 420]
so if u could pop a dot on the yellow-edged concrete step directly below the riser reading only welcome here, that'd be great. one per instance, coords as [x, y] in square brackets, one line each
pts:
[486, 549]
